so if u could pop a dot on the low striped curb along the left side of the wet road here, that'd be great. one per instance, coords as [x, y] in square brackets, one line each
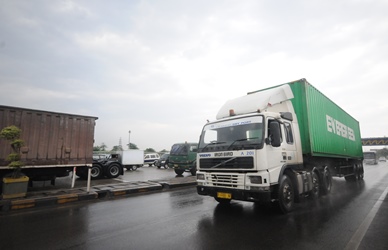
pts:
[60, 197]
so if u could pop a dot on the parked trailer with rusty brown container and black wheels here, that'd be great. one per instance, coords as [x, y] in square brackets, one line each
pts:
[55, 143]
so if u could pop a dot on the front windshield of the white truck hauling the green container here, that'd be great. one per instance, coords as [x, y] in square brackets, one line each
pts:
[243, 133]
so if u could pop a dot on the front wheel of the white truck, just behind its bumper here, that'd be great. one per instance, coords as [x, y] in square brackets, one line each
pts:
[286, 195]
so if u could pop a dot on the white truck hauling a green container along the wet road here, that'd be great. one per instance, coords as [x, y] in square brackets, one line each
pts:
[275, 145]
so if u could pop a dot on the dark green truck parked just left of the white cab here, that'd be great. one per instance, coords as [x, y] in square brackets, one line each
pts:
[183, 157]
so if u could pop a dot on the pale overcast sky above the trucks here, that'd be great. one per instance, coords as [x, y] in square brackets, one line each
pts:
[161, 69]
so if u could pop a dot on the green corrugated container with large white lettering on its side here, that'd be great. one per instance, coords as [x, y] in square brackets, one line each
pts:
[326, 129]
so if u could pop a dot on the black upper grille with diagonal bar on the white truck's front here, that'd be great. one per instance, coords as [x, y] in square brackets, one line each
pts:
[227, 163]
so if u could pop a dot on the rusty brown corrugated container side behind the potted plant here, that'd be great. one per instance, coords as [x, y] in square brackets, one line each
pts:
[51, 138]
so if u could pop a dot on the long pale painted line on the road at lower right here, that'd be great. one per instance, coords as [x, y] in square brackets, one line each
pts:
[355, 241]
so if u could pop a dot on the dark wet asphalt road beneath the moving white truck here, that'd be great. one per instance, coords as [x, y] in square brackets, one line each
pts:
[181, 219]
